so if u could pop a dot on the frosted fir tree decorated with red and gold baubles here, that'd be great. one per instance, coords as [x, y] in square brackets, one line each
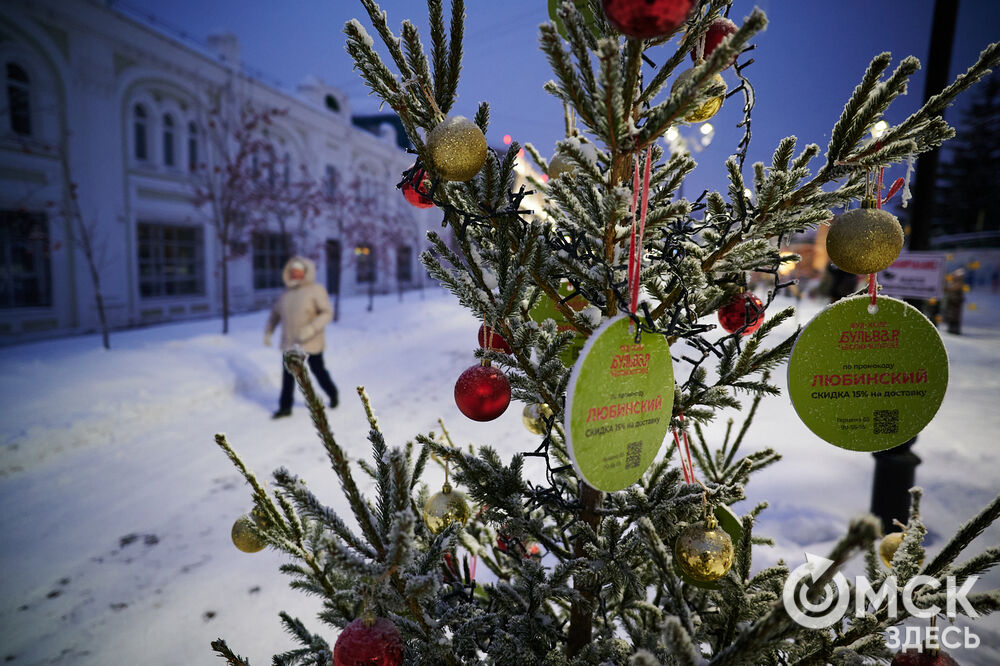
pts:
[579, 576]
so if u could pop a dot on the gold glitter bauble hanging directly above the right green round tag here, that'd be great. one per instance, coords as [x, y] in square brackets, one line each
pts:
[864, 240]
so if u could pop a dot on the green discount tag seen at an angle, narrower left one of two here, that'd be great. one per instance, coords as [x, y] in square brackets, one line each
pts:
[619, 402]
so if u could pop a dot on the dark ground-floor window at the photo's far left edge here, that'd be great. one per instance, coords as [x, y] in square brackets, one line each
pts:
[25, 269]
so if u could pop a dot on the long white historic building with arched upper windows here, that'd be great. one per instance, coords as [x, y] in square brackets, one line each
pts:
[101, 100]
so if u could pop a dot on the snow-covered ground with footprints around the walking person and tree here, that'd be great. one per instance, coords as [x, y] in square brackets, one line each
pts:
[116, 504]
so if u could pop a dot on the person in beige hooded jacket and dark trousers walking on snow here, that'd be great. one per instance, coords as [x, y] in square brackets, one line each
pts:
[303, 310]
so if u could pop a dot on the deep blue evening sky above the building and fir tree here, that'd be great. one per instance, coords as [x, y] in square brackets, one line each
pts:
[807, 61]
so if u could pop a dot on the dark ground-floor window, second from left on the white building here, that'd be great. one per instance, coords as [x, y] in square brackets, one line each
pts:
[171, 260]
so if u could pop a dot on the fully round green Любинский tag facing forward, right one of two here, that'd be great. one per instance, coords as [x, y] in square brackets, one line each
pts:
[868, 382]
